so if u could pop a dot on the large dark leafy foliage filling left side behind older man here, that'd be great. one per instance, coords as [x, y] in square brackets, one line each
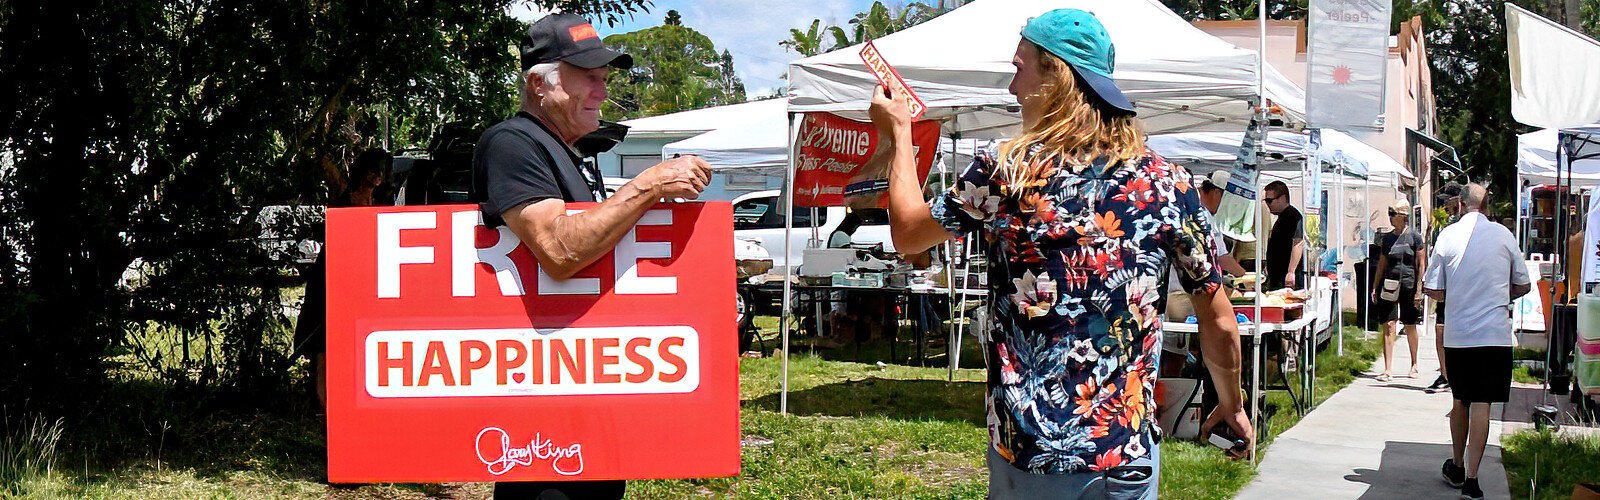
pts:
[143, 139]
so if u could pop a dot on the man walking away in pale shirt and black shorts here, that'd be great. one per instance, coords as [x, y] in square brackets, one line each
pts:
[1476, 272]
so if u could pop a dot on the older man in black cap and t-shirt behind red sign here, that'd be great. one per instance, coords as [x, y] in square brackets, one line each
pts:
[526, 171]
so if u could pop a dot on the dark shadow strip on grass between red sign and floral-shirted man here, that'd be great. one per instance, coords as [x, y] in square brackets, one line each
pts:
[900, 400]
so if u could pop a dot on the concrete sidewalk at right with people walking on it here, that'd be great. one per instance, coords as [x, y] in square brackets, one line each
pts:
[1377, 442]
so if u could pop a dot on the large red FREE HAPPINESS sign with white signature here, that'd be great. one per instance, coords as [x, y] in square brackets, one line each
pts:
[452, 357]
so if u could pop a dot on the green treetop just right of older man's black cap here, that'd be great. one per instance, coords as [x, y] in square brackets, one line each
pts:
[676, 68]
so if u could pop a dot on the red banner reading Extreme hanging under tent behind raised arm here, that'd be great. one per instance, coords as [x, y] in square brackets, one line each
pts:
[842, 163]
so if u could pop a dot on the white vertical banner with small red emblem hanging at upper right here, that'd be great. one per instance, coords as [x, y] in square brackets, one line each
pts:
[1346, 65]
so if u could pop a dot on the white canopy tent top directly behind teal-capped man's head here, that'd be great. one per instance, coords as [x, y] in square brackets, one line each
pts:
[1182, 79]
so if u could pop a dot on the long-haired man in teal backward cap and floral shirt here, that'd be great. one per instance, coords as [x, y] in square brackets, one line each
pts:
[1082, 222]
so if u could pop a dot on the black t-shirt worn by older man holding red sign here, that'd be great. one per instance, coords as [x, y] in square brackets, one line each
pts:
[522, 161]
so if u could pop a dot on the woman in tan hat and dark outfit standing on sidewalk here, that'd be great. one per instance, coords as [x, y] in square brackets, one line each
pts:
[1398, 297]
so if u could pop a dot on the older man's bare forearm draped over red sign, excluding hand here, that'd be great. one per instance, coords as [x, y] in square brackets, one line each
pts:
[567, 244]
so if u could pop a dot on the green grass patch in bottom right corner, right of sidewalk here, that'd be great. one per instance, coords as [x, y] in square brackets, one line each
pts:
[1548, 466]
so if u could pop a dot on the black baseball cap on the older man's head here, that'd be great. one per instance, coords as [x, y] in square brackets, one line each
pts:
[569, 39]
